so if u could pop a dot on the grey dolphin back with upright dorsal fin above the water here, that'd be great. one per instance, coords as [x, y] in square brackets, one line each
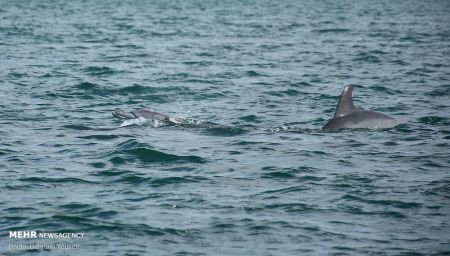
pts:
[347, 116]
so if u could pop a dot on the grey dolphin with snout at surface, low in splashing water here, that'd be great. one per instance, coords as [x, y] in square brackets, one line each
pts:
[147, 114]
